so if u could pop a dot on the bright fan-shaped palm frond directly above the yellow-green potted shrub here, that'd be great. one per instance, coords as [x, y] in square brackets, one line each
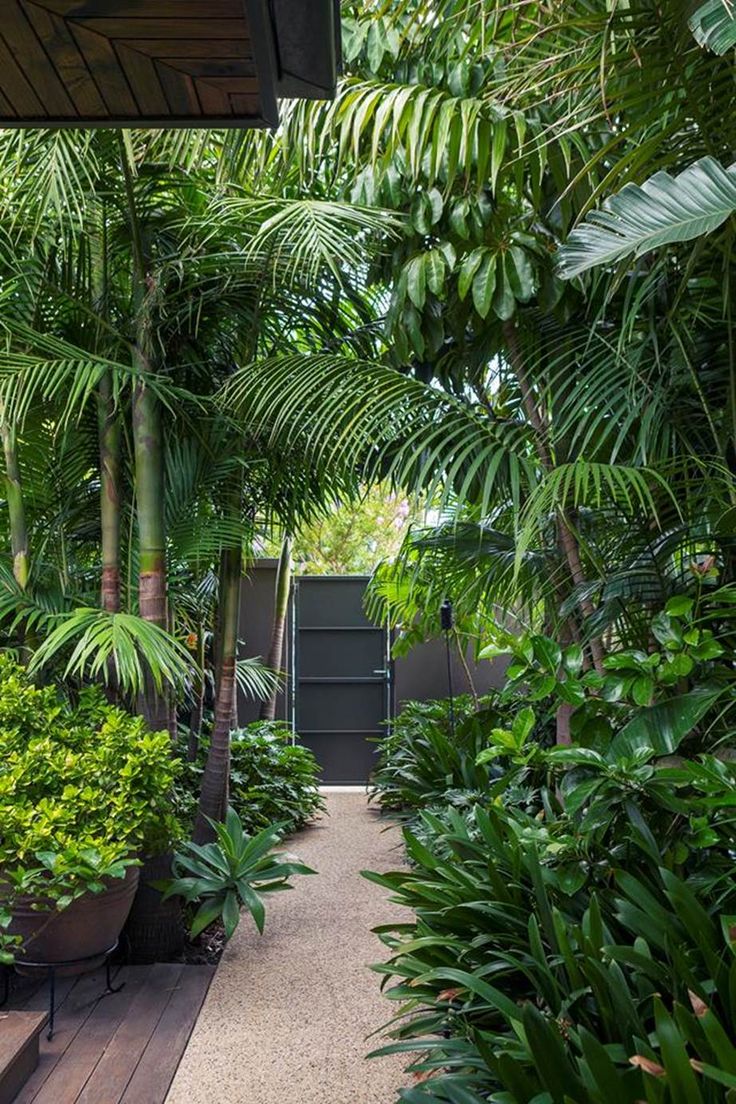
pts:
[104, 643]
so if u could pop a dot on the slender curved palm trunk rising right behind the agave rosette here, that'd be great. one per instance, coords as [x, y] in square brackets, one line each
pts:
[215, 793]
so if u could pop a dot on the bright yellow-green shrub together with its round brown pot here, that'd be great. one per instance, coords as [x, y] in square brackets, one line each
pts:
[83, 791]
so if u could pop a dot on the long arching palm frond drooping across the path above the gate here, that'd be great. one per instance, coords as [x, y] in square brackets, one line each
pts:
[344, 415]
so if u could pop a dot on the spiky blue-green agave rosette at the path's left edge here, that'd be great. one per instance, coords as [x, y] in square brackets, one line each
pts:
[232, 874]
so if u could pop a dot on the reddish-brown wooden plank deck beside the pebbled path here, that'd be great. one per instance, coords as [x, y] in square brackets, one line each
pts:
[118, 1049]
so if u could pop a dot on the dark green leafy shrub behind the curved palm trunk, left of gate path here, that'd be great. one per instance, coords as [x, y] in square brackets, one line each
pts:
[272, 780]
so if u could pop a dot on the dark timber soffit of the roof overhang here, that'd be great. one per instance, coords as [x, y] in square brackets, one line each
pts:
[163, 63]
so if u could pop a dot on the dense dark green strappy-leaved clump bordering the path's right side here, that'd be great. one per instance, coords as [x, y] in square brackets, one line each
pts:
[585, 953]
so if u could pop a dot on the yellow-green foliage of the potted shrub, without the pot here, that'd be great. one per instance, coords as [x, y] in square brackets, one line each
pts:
[83, 790]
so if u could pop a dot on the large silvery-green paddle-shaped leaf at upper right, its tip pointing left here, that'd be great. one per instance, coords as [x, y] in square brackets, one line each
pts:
[643, 218]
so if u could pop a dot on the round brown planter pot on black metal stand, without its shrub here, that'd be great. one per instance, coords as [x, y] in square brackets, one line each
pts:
[80, 935]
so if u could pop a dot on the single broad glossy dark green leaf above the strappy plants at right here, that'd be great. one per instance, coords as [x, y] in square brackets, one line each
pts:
[665, 726]
